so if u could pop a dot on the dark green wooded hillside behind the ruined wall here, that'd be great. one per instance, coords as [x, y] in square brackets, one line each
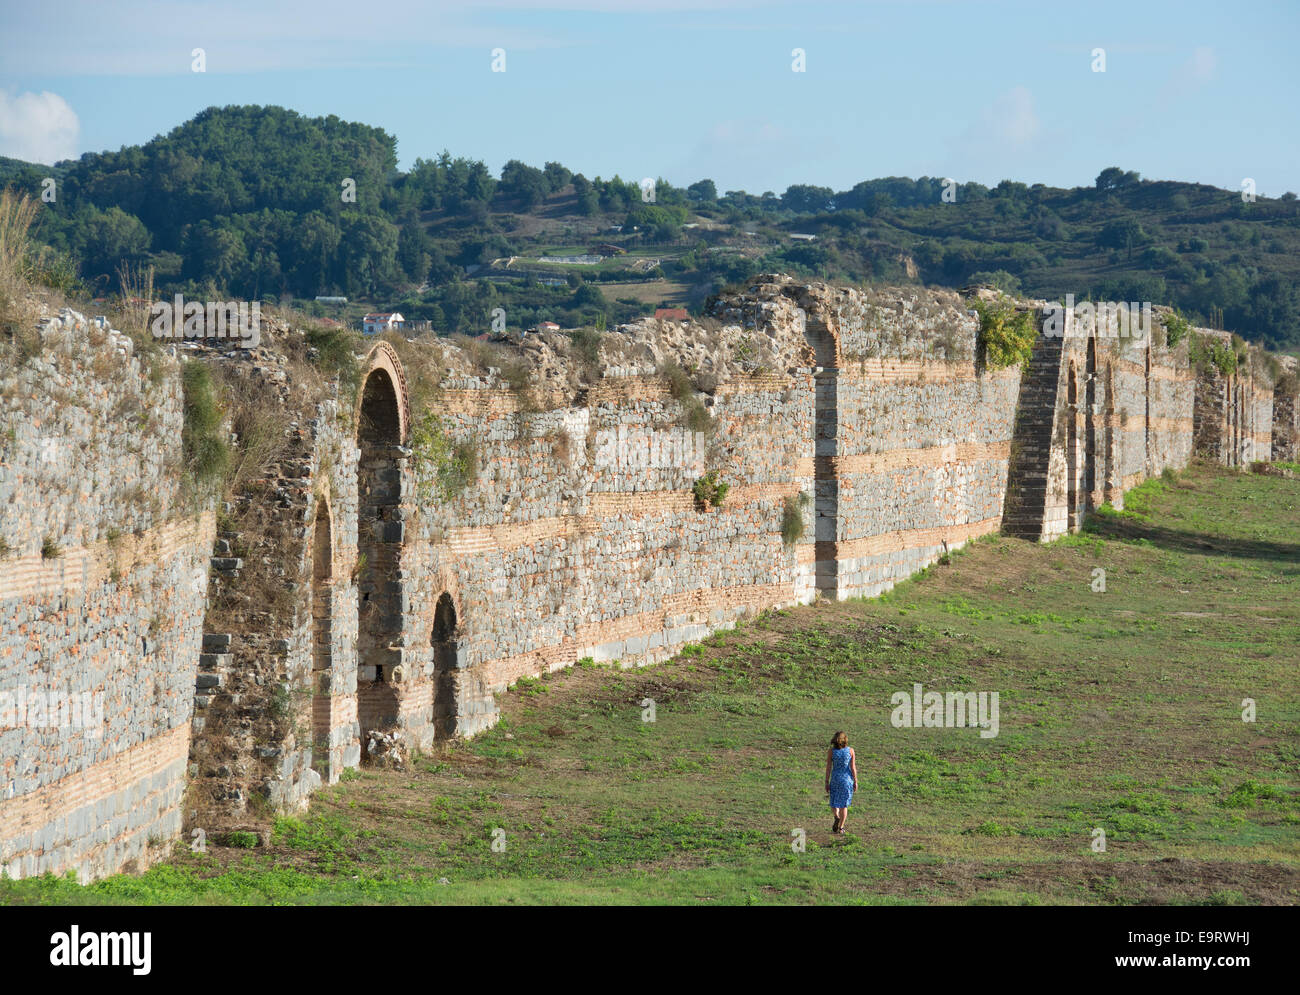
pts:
[255, 202]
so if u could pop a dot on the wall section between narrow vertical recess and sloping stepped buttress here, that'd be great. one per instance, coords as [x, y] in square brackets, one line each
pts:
[913, 440]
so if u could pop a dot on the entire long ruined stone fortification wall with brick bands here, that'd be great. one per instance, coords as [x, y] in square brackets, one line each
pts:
[410, 548]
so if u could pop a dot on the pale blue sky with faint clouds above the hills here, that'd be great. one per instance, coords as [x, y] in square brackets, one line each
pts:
[976, 92]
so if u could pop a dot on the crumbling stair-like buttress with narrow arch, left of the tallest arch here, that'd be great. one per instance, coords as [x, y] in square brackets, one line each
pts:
[275, 703]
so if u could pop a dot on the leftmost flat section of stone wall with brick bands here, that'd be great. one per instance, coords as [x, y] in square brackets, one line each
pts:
[103, 569]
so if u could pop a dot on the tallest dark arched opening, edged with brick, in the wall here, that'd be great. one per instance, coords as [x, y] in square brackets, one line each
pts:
[379, 543]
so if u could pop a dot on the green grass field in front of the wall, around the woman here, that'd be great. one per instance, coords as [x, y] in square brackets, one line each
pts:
[1120, 711]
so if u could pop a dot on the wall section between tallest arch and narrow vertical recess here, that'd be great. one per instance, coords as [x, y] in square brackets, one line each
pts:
[582, 537]
